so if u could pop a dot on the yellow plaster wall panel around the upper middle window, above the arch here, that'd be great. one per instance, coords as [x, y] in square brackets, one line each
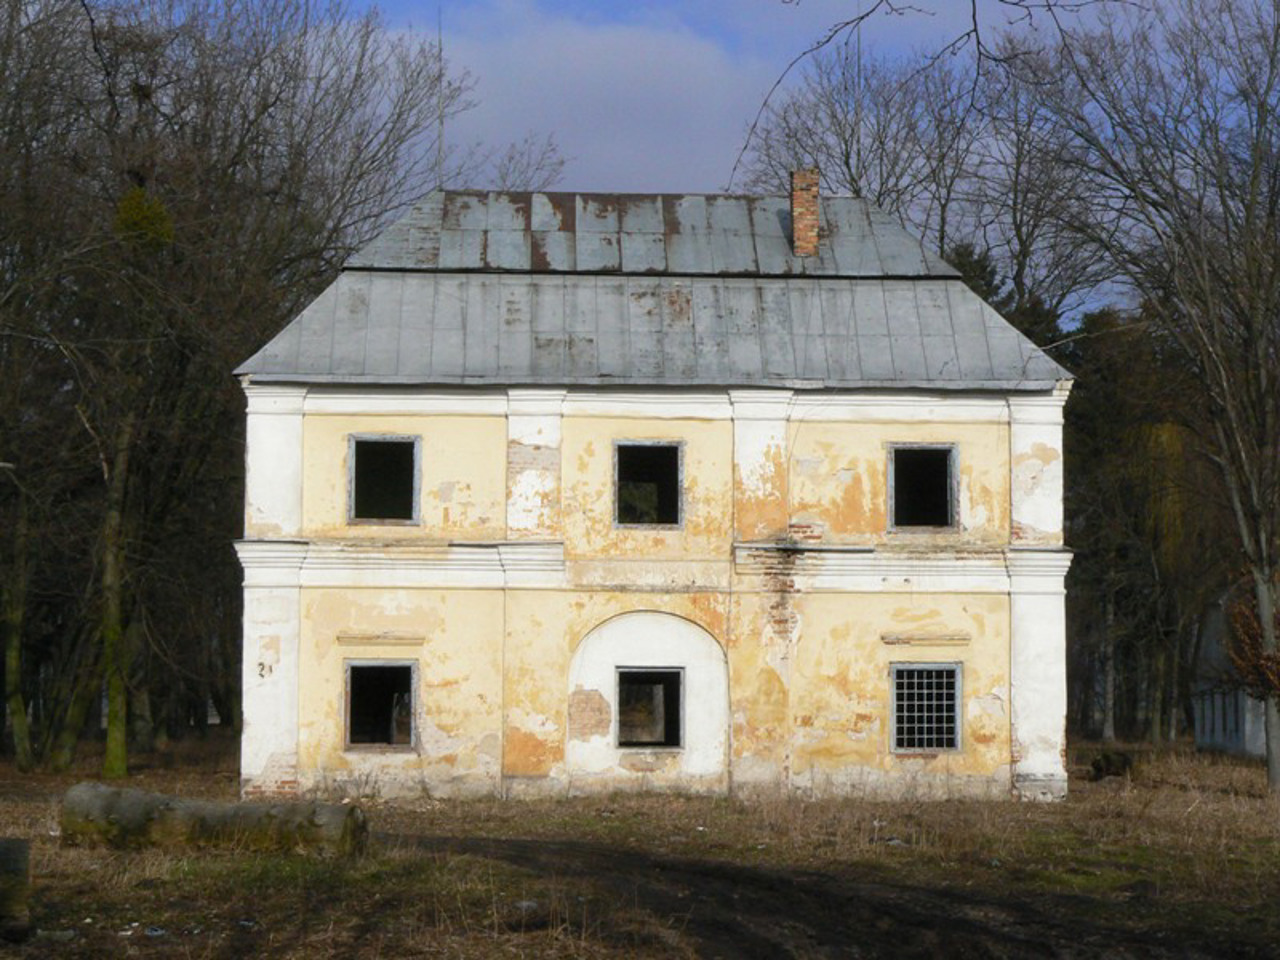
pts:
[588, 490]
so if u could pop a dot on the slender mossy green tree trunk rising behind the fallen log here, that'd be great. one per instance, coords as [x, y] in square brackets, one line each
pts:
[115, 648]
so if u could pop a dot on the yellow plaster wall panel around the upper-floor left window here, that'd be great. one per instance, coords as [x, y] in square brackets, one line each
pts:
[464, 477]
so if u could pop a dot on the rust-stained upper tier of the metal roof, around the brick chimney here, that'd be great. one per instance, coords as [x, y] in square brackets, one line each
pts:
[688, 236]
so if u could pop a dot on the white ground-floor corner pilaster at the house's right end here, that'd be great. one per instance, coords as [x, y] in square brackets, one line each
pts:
[1037, 674]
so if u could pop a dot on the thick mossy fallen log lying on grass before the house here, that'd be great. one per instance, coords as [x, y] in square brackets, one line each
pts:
[124, 819]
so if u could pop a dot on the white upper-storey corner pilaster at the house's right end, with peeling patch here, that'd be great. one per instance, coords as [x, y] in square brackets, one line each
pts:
[1036, 468]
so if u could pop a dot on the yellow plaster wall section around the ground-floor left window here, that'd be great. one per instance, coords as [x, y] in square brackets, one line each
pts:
[455, 637]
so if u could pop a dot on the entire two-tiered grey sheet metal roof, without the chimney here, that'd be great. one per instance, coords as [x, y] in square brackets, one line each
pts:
[518, 289]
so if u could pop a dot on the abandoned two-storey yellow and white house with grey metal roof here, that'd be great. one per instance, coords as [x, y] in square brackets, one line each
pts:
[556, 493]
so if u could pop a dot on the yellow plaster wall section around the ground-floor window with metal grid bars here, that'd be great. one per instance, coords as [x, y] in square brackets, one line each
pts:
[811, 682]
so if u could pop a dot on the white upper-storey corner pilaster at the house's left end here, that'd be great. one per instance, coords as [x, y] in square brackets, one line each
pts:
[273, 460]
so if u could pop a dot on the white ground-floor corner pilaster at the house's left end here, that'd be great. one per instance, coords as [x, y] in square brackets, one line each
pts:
[269, 739]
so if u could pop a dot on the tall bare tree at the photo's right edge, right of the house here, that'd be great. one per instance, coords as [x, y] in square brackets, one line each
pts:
[1174, 117]
